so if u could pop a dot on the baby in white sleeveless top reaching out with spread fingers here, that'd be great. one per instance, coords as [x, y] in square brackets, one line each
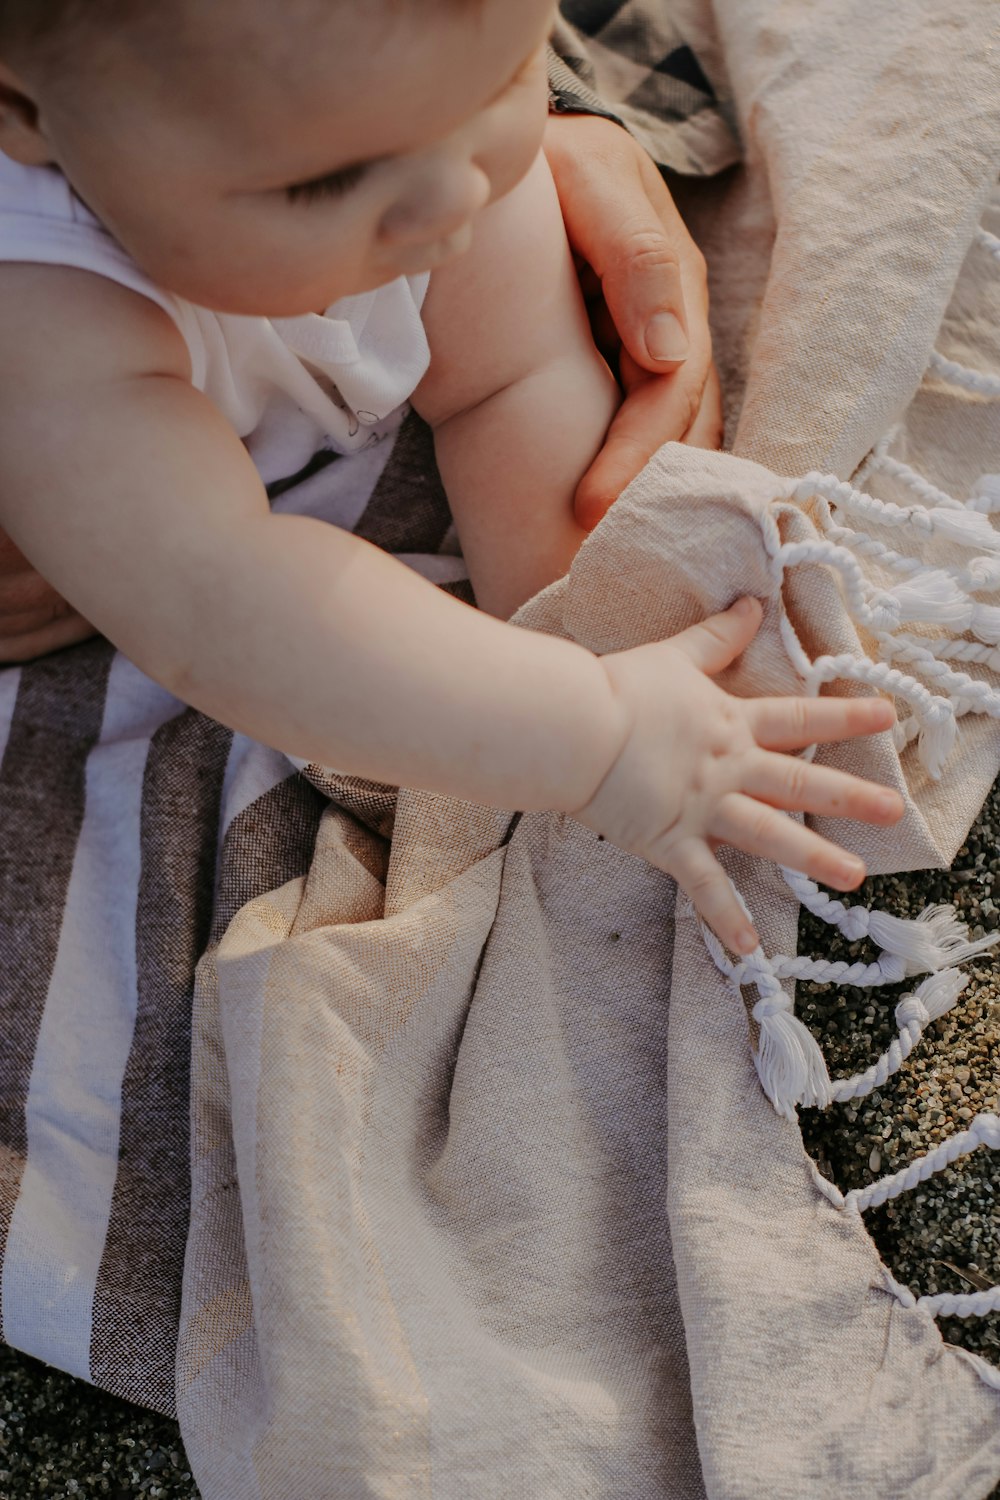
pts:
[217, 226]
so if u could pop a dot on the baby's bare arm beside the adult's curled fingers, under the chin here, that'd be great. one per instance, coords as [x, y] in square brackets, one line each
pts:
[518, 395]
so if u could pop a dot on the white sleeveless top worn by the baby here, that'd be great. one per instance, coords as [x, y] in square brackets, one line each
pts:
[290, 386]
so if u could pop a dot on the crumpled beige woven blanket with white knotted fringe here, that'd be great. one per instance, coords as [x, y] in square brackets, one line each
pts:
[488, 1196]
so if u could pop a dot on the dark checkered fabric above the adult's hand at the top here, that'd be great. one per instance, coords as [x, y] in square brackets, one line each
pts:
[632, 62]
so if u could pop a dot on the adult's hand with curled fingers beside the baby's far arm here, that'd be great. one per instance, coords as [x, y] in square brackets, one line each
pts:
[645, 283]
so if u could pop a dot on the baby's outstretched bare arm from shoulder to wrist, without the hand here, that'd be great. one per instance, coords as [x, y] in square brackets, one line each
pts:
[133, 497]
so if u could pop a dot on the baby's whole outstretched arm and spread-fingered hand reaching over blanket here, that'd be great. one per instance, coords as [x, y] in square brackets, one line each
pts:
[133, 496]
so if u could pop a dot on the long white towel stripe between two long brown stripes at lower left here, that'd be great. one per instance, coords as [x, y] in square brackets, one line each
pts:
[74, 1106]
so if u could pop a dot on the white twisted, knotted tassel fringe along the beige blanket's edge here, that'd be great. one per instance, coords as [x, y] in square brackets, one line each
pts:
[938, 688]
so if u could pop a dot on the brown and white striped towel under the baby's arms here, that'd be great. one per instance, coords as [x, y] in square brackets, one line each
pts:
[134, 830]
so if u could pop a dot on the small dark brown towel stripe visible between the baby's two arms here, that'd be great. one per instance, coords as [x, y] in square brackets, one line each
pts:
[409, 511]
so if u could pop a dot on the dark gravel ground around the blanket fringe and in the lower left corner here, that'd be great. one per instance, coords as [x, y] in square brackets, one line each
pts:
[61, 1439]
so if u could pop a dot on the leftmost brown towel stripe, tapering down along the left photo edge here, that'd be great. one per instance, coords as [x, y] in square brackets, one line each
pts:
[56, 724]
